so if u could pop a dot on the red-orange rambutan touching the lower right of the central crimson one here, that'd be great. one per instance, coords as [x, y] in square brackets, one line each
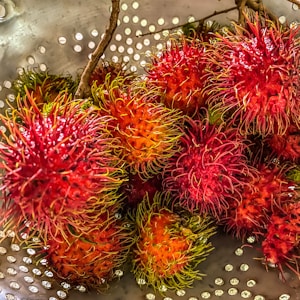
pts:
[269, 190]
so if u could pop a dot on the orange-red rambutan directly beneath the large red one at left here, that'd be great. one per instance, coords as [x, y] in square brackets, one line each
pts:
[91, 254]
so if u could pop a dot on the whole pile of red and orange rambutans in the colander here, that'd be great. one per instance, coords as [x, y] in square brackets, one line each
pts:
[148, 168]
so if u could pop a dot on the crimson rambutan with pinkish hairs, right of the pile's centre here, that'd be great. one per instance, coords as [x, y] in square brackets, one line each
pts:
[210, 167]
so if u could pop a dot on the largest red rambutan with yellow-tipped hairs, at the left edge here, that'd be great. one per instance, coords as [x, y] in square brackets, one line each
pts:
[57, 167]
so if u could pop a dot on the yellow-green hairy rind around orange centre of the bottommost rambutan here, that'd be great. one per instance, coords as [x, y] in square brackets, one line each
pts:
[196, 229]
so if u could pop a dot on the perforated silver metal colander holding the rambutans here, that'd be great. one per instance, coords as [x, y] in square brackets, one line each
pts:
[59, 36]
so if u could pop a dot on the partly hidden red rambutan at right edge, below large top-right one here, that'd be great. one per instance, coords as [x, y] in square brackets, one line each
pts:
[287, 145]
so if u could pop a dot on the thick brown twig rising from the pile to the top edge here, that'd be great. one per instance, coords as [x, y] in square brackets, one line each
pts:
[83, 90]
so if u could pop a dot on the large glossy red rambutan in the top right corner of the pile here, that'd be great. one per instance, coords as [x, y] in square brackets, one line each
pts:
[255, 77]
